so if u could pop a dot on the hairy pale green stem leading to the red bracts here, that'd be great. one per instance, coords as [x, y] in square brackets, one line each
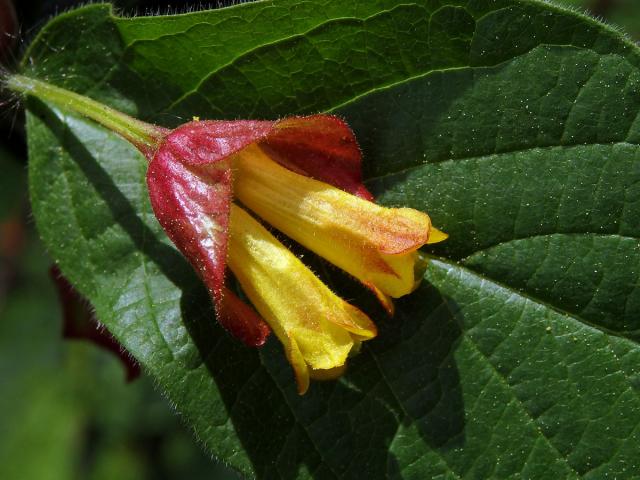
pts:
[143, 135]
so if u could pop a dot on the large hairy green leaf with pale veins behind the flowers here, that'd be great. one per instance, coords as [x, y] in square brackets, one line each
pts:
[514, 124]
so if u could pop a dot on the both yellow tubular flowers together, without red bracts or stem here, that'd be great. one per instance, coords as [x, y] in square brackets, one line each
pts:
[376, 245]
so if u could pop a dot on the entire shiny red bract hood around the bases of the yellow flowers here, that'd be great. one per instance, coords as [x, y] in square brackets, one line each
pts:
[190, 182]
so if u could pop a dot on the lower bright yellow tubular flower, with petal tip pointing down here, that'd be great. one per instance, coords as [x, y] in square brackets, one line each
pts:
[317, 328]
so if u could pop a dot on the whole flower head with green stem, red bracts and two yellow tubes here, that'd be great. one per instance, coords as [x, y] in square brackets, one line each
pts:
[301, 175]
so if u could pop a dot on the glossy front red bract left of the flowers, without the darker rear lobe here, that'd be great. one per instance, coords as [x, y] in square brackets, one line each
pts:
[189, 181]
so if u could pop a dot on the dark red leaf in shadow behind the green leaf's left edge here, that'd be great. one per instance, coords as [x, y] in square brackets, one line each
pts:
[80, 323]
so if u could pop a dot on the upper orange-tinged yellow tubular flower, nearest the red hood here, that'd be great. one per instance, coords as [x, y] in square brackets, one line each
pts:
[377, 245]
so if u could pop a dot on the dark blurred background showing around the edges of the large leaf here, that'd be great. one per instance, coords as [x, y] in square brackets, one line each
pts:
[66, 411]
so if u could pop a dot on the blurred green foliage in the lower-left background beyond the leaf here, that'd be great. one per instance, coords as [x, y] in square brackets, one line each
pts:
[66, 411]
